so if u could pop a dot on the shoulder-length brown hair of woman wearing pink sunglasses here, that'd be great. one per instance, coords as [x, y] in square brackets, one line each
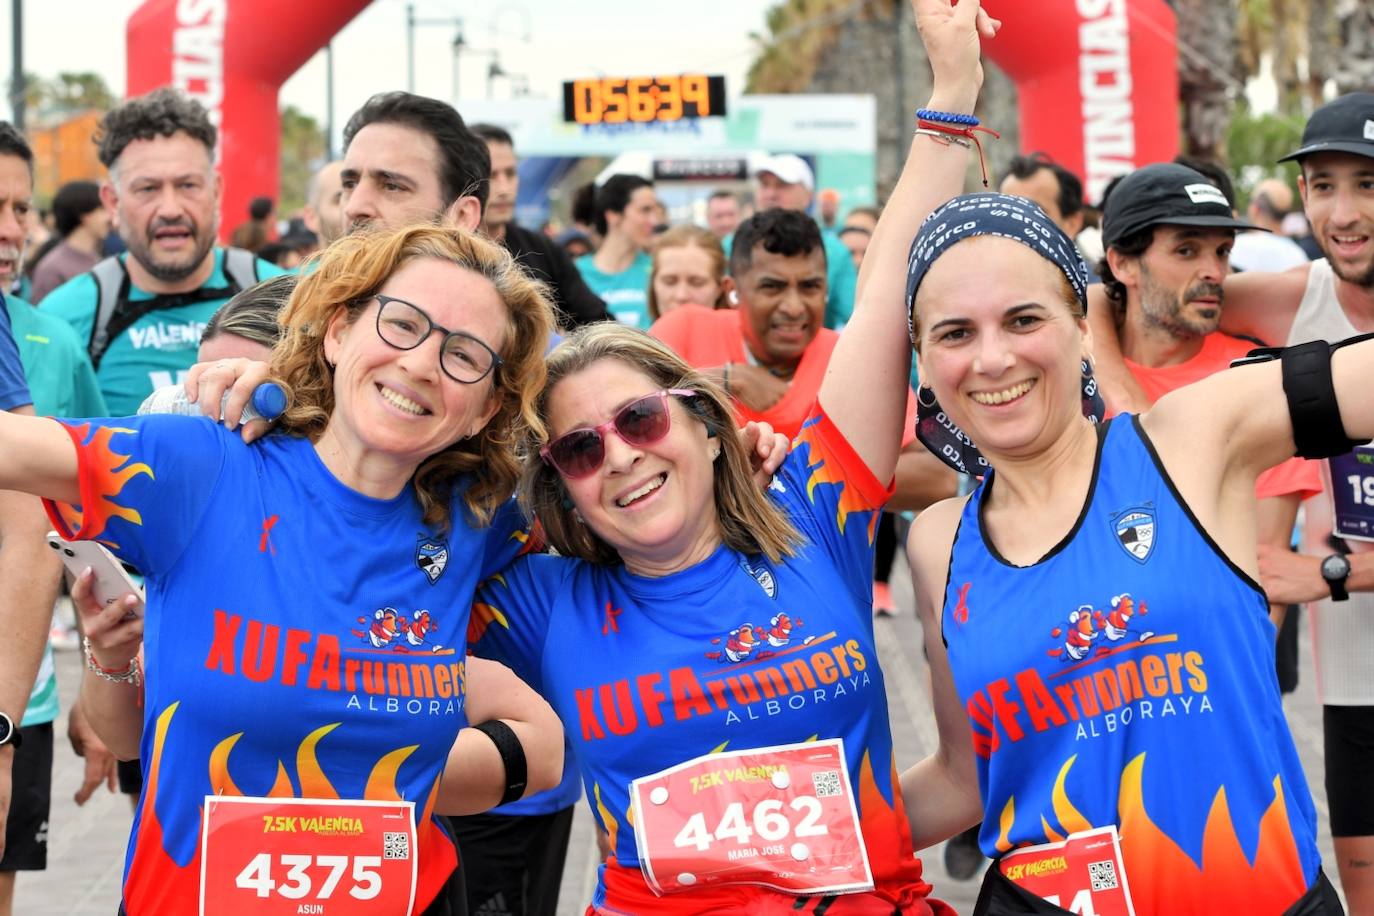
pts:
[750, 521]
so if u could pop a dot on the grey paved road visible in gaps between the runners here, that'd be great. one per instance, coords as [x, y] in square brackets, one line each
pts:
[87, 844]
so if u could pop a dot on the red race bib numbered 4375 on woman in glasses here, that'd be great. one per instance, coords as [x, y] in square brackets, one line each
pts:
[307, 856]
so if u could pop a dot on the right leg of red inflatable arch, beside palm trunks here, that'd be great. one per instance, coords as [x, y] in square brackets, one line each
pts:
[1097, 82]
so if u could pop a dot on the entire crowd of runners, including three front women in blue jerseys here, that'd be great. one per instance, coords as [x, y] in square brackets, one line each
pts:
[605, 516]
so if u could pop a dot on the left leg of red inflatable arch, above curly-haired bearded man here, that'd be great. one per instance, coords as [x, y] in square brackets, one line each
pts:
[234, 56]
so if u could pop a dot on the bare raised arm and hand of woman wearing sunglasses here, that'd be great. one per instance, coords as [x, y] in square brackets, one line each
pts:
[865, 391]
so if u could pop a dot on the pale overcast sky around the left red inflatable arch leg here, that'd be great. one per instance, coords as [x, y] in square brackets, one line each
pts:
[565, 41]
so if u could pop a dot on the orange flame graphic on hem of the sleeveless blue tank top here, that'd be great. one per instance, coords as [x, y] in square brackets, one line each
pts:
[1163, 878]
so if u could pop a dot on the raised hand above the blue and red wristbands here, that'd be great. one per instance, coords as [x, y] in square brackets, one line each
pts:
[953, 34]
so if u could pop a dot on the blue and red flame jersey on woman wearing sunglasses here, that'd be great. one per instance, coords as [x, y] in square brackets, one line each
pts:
[734, 653]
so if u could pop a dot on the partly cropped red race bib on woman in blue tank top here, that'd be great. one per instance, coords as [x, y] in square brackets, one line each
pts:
[1083, 874]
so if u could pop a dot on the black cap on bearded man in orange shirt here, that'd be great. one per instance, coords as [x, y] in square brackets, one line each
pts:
[1166, 194]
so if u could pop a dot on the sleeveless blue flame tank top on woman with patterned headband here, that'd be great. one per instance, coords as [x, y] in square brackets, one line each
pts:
[1129, 679]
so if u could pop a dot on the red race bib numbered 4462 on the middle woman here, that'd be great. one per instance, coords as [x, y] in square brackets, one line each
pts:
[782, 818]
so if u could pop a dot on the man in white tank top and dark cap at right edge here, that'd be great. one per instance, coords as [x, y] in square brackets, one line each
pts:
[1332, 300]
